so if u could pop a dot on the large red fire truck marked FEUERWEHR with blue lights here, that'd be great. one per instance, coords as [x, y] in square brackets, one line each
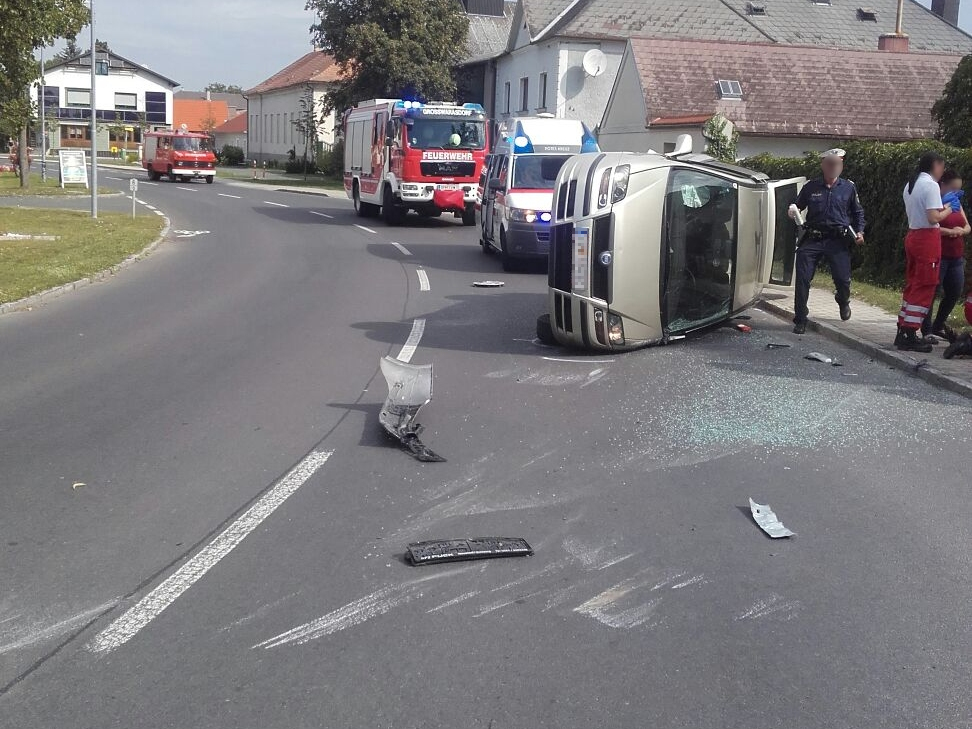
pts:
[404, 155]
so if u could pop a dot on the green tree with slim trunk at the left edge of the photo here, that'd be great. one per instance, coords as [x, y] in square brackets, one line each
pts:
[25, 26]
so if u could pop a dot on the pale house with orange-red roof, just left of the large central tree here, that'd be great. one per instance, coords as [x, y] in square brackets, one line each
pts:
[275, 107]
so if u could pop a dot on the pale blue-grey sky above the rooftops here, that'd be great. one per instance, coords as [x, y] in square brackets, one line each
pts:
[232, 41]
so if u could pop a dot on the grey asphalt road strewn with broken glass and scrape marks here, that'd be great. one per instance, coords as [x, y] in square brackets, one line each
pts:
[234, 557]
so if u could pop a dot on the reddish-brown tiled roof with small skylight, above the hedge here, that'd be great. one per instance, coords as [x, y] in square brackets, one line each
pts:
[795, 91]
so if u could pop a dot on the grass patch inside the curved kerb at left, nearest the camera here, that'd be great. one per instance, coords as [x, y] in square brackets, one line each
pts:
[84, 246]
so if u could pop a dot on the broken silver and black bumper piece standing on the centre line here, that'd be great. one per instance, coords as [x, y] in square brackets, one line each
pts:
[409, 390]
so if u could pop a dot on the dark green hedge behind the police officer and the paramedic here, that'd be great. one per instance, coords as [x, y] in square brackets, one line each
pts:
[880, 171]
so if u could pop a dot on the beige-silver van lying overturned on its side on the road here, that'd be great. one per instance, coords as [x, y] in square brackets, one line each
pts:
[646, 248]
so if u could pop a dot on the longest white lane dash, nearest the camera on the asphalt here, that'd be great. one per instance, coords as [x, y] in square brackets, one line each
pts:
[152, 605]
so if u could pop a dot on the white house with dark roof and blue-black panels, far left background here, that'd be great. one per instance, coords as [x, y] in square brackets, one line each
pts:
[129, 99]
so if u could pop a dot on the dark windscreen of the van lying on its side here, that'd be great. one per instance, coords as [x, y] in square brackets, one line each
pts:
[699, 250]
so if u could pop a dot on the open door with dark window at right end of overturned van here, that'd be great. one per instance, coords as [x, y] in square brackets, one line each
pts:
[779, 234]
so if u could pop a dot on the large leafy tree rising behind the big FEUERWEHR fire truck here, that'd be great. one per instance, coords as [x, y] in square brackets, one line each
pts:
[390, 48]
